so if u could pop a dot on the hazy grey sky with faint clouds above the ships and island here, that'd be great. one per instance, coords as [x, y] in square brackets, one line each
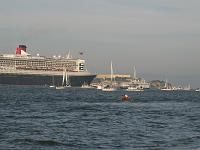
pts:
[160, 37]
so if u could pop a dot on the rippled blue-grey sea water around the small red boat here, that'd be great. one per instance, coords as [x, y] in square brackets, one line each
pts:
[85, 119]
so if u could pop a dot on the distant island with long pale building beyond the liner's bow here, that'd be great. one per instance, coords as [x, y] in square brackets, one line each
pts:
[125, 81]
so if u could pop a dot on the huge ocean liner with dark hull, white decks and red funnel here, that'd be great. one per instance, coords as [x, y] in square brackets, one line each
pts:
[23, 69]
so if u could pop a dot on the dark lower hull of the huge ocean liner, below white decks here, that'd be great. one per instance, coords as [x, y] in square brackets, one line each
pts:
[16, 79]
